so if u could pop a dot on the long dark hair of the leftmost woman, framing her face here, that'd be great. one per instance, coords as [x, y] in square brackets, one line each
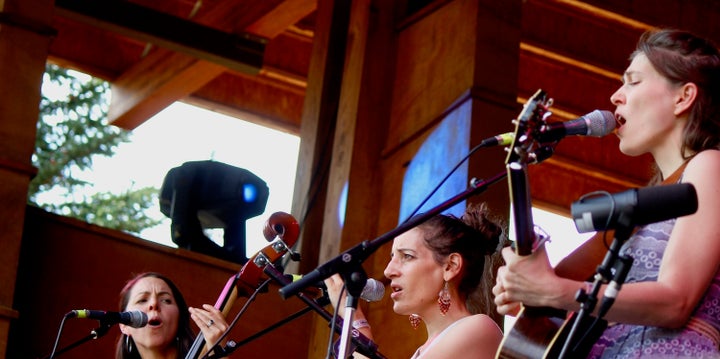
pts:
[185, 335]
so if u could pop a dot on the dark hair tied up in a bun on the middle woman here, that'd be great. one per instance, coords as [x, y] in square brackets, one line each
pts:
[477, 237]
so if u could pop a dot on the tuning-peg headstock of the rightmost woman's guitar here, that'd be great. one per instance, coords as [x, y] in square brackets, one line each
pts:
[528, 123]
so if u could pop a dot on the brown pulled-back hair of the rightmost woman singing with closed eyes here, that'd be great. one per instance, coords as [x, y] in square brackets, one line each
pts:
[682, 57]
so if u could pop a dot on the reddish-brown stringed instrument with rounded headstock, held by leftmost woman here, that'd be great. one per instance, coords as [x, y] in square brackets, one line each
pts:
[251, 275]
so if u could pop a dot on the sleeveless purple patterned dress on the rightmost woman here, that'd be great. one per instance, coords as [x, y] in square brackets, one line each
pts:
[697, 339]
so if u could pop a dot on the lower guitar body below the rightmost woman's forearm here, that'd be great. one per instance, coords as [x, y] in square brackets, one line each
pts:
[540, 333]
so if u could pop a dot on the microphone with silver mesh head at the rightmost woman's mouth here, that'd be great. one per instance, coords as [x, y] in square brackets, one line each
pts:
[597, 124]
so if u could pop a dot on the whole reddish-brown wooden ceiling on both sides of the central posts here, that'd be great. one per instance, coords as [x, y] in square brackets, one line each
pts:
[206, 52]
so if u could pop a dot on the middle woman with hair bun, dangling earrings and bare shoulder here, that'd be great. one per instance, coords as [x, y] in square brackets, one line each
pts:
[441, 274]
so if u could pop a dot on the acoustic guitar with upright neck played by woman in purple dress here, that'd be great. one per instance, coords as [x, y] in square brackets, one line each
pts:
[538, 332]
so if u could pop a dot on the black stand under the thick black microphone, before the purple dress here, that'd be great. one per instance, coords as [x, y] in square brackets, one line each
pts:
[602, 275]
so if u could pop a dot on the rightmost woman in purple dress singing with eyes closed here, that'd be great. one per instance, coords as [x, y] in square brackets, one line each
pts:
[668, 106]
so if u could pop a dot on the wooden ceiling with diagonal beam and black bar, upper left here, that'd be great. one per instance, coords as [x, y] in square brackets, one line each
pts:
[197, 51]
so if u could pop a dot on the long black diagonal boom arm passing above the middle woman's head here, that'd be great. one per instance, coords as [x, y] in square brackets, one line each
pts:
[357, 254]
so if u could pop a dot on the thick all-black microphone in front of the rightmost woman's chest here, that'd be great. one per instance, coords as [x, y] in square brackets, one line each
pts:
[639, 205]
